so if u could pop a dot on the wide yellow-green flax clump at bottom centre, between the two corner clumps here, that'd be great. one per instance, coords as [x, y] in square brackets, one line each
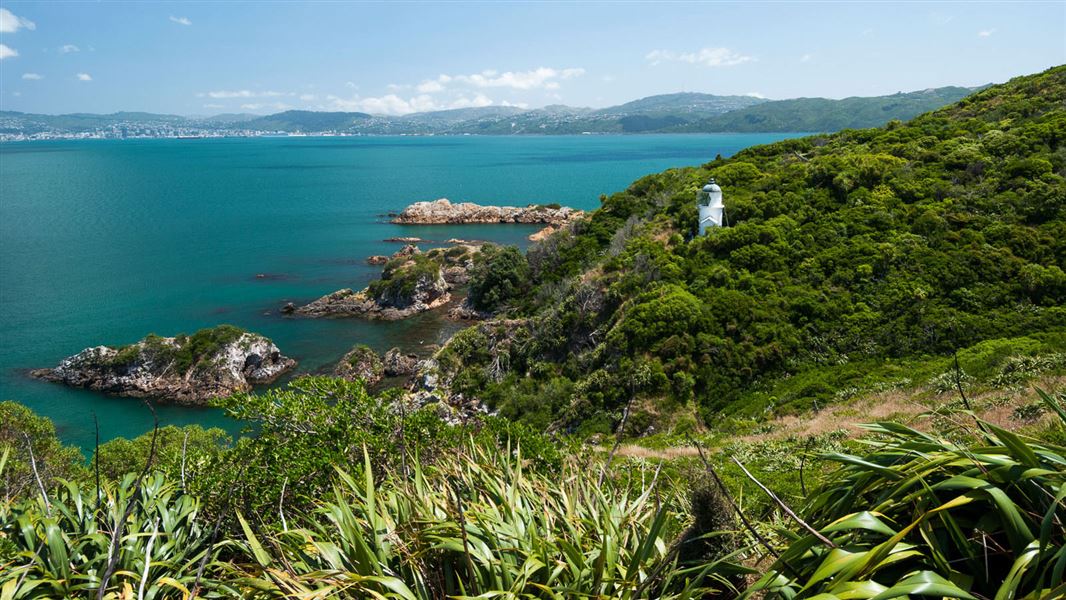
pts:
[477, 526]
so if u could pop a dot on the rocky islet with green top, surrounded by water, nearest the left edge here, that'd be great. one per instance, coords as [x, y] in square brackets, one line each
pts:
[185, 369]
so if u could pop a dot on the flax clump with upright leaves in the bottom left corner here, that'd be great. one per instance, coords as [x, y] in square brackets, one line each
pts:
[60, 548]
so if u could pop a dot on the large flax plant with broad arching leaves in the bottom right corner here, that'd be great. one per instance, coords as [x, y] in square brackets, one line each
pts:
[919, 515]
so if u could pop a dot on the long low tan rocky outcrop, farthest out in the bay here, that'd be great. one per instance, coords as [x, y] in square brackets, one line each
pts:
[443, 212]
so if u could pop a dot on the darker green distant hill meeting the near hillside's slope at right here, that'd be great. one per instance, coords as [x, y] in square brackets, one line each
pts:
[827, 116]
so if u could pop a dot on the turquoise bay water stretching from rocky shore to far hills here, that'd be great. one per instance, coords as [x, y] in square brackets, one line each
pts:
[103, 242]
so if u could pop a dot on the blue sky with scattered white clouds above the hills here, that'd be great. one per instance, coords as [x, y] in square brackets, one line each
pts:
[398, 58]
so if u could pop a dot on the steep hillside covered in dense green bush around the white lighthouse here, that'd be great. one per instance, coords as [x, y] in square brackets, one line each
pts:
[851, 261]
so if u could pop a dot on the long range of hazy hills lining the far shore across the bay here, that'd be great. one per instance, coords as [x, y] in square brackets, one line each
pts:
[677, 113]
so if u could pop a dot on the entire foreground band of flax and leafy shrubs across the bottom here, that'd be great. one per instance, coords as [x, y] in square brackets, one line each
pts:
[479, 516]
